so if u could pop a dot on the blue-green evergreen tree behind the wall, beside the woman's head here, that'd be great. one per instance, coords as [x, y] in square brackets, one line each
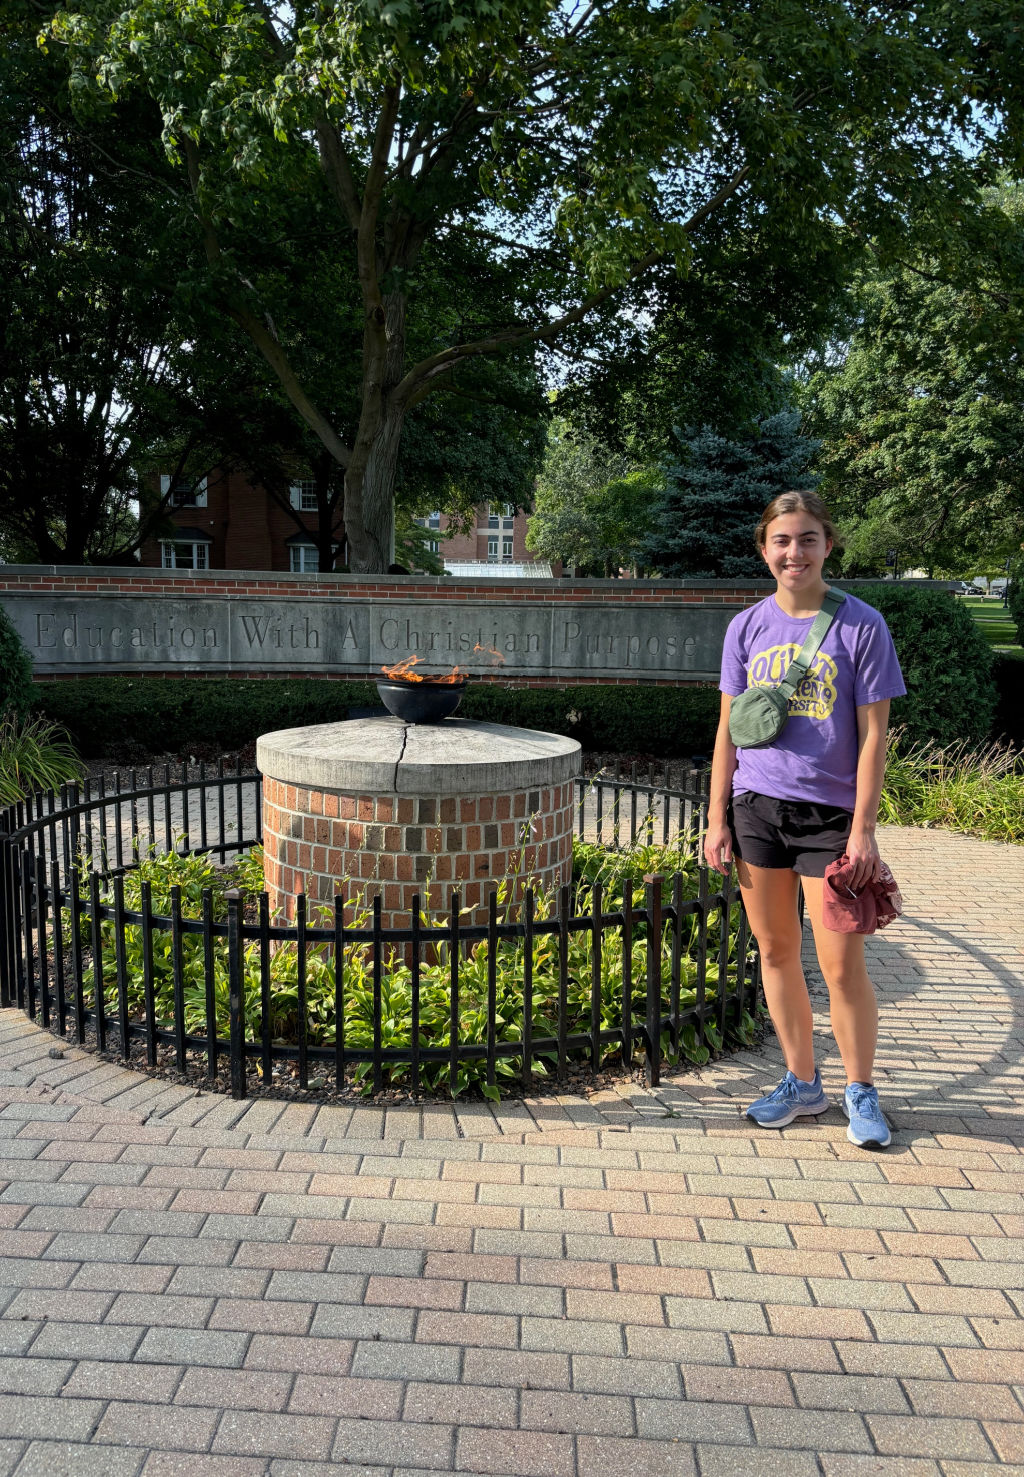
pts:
[716, 491]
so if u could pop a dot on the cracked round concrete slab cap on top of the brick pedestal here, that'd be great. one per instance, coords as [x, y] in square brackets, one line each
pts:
[386, 755]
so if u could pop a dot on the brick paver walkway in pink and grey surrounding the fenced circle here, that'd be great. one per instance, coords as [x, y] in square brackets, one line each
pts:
[638, 1284]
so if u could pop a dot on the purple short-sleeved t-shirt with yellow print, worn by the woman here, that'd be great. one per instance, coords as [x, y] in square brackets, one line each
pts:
[815, 757]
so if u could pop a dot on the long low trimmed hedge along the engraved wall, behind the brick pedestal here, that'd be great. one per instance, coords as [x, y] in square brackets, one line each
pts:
[208, 717]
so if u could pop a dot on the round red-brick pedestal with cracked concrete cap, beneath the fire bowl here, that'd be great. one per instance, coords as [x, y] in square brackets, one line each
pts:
[401, 810]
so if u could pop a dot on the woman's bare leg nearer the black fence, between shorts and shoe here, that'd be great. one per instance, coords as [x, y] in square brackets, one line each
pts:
[771, 902]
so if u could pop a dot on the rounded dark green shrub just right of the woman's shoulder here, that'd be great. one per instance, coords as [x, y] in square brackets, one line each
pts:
[946, 665]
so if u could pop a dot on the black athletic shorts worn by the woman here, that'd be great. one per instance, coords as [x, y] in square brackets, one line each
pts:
[788, 834]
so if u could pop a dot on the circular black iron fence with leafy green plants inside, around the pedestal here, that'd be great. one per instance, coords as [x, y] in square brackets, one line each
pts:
[188, 970]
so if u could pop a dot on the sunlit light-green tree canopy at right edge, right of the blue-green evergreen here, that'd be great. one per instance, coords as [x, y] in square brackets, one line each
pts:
[923, 416]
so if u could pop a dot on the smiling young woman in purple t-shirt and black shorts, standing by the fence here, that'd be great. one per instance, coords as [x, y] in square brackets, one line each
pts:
[785, 812]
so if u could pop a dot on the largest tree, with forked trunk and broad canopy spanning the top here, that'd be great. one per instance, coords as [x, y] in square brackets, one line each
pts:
[587, 144]
